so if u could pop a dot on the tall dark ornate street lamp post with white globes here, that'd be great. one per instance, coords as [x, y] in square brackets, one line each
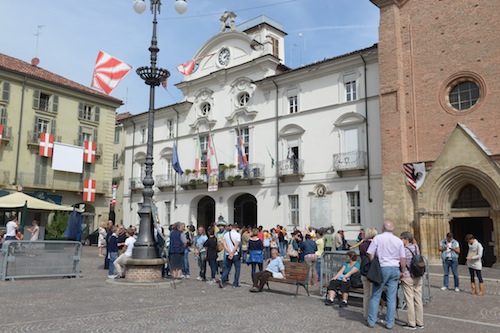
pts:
[153, 76]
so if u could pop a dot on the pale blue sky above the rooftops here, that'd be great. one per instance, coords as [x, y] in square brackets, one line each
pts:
[66, 35]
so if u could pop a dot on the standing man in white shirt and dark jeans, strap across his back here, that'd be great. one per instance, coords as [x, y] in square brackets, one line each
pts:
[232, 240]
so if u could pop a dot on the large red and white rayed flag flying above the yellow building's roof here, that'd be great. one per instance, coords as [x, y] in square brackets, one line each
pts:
[108, 72]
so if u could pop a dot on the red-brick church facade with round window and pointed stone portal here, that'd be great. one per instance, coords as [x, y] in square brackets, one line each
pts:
[439, 71]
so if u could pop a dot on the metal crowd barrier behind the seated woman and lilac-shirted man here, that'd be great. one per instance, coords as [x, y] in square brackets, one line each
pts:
[332, 261]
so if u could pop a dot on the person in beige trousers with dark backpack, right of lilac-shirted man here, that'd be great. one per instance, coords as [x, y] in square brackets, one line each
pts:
[412, 283]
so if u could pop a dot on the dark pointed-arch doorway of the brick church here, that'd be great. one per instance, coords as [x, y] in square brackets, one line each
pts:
[471, 215]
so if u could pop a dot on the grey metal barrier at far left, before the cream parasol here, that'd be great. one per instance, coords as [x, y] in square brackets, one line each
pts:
[26, 259]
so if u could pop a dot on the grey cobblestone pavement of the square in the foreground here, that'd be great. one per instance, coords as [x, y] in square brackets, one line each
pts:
[90, 304]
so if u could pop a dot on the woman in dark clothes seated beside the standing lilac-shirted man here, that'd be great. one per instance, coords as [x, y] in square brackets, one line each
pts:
[343, 279]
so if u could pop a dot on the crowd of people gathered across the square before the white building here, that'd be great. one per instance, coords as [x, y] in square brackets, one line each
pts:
[222, 247]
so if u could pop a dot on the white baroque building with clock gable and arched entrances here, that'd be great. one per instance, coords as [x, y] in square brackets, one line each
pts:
[310, 135]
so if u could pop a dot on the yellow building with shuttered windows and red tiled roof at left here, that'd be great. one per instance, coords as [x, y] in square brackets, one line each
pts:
[34, 101]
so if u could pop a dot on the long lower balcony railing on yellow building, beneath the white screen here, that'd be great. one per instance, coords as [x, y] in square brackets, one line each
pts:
[59, 182]
